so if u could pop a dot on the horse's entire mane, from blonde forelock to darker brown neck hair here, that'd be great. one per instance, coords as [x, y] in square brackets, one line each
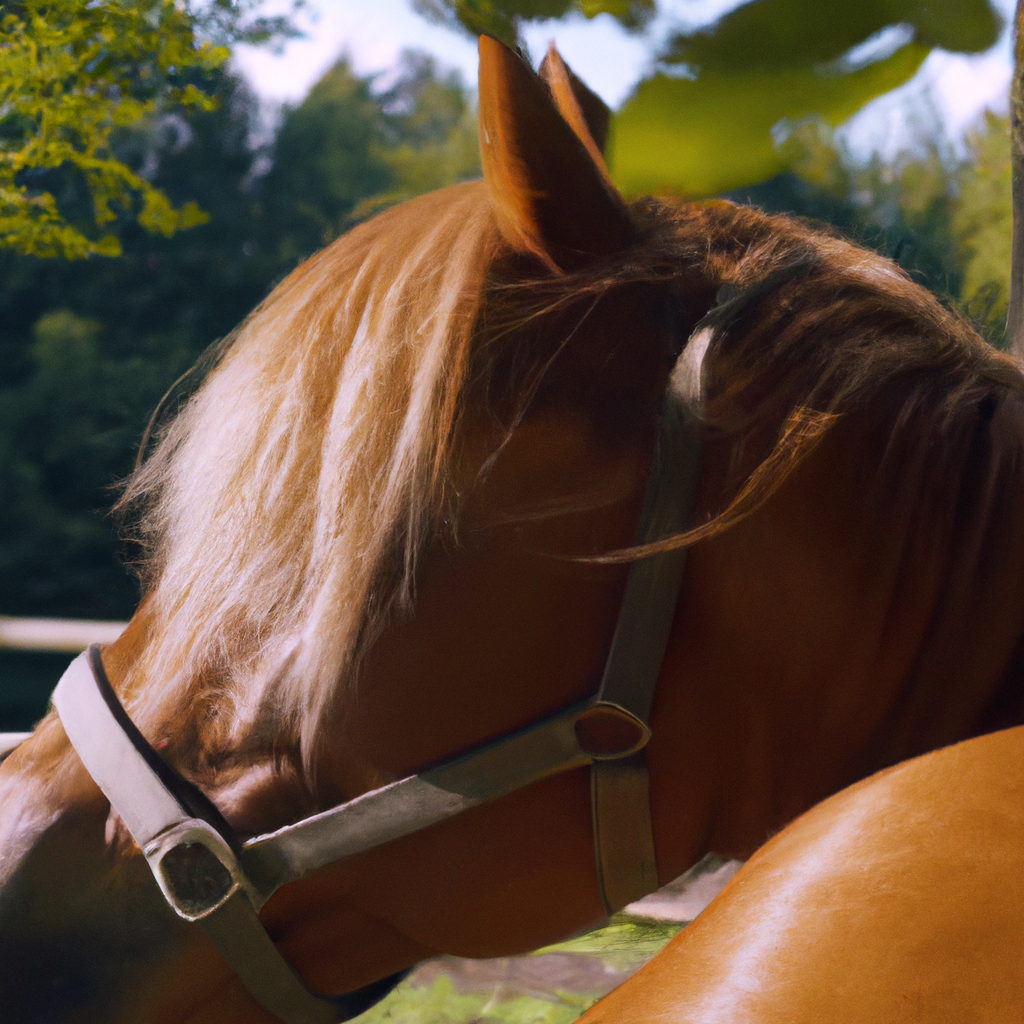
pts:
[284, 507]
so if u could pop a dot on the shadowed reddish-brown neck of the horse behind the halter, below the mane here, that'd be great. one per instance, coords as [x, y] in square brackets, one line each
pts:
[870, 612]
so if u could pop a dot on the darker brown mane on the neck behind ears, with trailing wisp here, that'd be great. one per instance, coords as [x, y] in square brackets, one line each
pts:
[808, 329]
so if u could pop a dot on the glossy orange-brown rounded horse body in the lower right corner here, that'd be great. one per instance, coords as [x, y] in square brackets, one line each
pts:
[900, 900]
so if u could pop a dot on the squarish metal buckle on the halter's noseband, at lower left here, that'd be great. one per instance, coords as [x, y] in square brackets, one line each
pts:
[196, 870]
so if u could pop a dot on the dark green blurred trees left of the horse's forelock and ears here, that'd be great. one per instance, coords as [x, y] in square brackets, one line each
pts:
[89, 349]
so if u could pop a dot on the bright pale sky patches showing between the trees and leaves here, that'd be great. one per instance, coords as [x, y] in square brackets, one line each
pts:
[951, 88]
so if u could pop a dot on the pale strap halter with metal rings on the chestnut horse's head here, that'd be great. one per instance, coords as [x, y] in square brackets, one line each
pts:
[212, 879]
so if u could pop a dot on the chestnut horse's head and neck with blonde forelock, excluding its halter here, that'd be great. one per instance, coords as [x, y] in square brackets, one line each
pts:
[397, 521]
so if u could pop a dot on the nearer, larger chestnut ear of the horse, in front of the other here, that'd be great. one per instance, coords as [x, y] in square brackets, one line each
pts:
[551, 197]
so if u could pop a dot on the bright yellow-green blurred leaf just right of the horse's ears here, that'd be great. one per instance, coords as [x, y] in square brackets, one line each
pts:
[708, 136]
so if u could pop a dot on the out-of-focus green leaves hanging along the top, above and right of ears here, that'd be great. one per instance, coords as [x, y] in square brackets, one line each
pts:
[709, 115]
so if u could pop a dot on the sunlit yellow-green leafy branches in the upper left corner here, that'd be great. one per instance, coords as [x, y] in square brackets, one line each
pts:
[73, 75]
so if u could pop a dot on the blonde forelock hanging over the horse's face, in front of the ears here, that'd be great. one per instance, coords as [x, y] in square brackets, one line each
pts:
[315, 451]
